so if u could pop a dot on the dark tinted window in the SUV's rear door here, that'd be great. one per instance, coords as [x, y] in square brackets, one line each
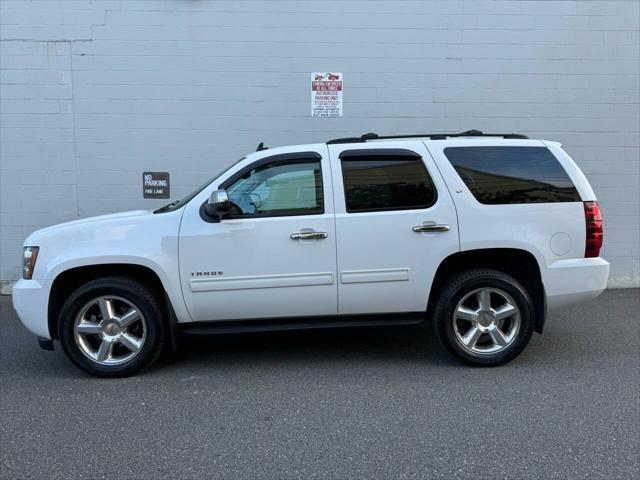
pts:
[386, 182]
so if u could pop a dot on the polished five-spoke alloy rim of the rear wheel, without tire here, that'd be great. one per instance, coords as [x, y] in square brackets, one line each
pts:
[486, 321]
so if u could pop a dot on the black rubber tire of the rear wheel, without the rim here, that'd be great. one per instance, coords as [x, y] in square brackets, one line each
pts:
[462, 284]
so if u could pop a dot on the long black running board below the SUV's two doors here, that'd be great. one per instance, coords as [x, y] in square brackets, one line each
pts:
[304, 323]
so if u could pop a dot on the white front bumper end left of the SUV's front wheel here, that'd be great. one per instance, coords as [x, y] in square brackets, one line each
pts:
[31, 302]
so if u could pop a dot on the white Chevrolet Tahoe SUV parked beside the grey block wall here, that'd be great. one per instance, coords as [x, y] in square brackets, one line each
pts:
[479, 234]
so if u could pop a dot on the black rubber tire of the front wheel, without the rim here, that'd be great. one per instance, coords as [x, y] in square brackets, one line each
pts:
[132, 291]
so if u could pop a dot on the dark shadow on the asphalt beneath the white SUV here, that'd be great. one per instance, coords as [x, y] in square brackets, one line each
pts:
[349, 348]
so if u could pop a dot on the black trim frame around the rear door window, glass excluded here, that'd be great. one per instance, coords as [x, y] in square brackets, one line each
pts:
[404, 154]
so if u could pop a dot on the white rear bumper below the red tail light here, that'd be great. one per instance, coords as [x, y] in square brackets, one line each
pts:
[568, 282]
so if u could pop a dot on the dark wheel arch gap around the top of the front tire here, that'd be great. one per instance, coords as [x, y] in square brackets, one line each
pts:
[69, 280]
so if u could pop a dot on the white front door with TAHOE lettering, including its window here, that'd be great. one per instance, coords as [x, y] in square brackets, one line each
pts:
[274, 254]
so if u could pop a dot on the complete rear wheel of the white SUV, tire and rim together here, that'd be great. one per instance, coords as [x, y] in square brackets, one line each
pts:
[484, 317]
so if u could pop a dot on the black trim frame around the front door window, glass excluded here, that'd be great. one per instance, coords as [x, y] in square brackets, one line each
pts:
[285, 158]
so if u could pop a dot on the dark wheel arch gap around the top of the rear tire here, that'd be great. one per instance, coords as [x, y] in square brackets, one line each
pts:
[520, 264]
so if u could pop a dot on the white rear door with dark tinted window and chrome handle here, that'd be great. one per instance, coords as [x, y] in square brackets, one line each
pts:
[395, 223]
